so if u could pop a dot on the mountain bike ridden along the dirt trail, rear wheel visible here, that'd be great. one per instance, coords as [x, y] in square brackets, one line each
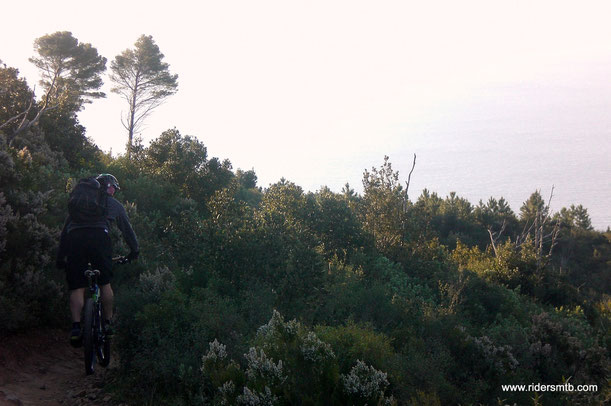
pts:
[95, 343]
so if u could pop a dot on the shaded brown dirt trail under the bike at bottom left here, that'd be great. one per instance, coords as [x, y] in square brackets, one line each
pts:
[42, 369]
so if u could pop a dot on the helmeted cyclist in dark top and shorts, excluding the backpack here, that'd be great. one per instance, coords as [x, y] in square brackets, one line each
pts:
[88, 241]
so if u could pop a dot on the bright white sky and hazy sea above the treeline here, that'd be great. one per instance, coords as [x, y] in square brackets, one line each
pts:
[317, 91]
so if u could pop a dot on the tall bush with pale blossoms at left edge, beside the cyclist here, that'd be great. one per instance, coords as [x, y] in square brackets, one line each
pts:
[31, 290]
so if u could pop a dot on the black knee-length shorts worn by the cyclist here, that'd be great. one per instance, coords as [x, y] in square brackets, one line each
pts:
[88, 245]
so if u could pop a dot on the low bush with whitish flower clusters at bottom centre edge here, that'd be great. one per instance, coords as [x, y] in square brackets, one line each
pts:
[289, 364]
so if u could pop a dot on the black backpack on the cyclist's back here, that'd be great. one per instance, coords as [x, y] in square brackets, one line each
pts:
[88, 202]
